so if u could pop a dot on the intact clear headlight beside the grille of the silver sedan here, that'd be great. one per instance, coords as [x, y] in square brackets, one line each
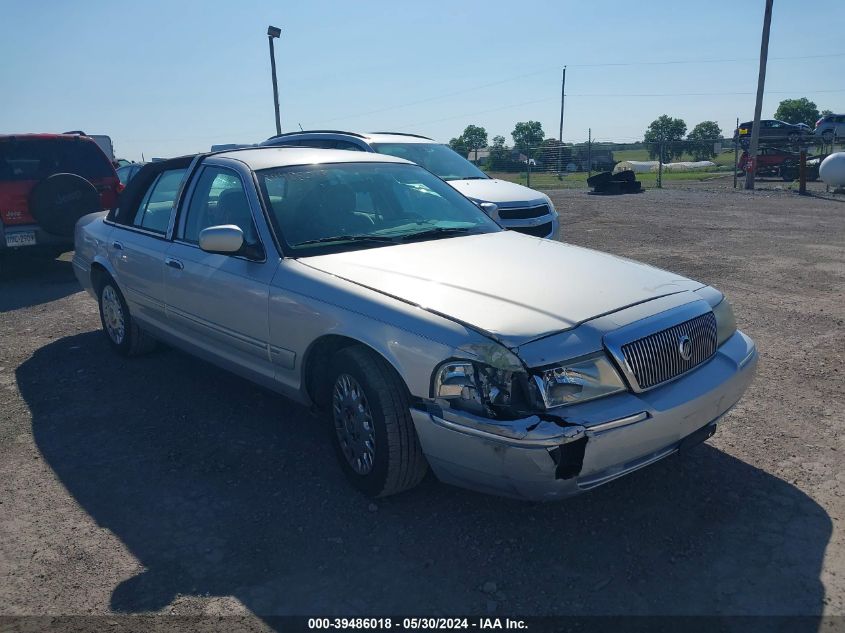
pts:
[578, 380]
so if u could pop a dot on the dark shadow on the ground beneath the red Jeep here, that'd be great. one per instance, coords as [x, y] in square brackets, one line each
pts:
[31, 280]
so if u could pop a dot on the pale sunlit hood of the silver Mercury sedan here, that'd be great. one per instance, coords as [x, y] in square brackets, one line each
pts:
[511, 286]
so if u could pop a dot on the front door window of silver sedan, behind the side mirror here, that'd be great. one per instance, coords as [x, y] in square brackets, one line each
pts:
[219, 198]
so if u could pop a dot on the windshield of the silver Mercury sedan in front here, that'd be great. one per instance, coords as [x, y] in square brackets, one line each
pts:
[328, 208]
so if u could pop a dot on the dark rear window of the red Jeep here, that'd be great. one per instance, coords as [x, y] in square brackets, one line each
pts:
[36, 159]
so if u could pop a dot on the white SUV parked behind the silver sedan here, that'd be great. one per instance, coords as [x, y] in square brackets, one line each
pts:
[519, 208]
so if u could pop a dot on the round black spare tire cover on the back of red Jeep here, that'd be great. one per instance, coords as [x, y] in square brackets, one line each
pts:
[58, 201]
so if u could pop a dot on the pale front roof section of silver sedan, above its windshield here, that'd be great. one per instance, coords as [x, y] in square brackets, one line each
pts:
[281, 156]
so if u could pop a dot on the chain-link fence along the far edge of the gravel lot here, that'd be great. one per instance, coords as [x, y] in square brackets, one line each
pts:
[554, 165]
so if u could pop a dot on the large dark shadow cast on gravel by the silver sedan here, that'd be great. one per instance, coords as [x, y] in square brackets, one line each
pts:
[222, 489]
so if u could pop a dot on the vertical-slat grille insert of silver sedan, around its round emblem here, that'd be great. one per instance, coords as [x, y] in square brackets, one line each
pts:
[656, 358]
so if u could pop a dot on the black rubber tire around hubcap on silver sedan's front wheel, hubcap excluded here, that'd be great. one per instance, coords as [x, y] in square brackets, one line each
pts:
[398, 462]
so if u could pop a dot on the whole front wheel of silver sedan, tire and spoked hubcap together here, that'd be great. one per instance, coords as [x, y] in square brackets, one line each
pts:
[372, 429]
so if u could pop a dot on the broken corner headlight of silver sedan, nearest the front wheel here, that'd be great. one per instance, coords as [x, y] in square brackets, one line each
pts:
[477, 387]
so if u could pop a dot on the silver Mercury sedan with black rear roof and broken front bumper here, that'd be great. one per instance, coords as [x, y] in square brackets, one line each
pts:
[426, 335]
